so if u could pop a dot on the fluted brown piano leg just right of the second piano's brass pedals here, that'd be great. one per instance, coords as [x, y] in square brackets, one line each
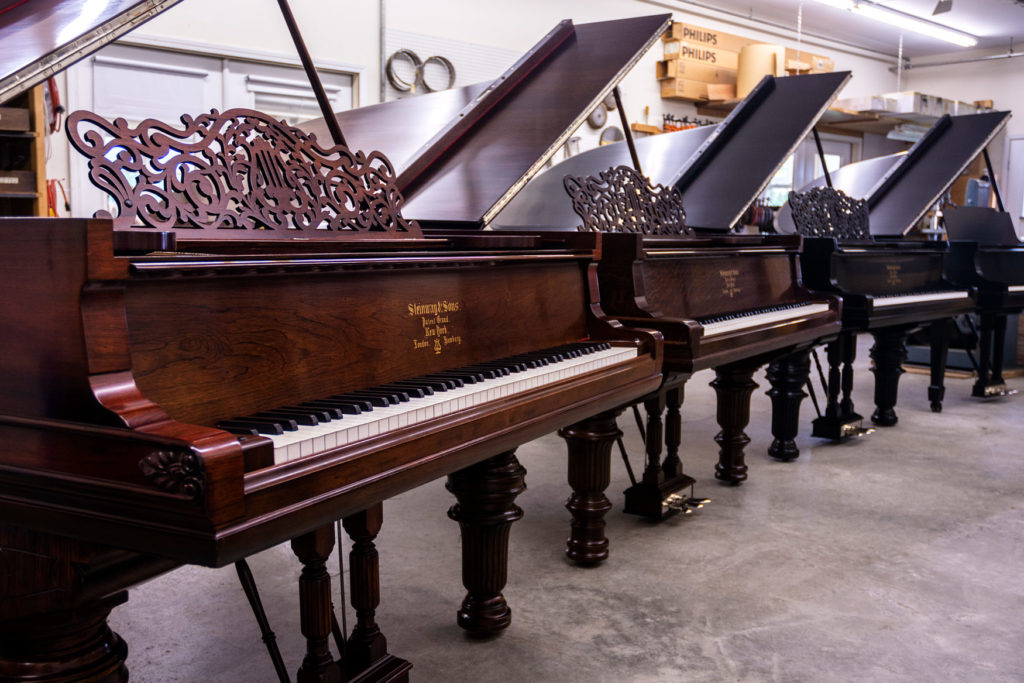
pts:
[734, 387]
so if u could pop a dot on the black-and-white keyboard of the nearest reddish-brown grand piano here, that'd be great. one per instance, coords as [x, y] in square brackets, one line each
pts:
[321, 425]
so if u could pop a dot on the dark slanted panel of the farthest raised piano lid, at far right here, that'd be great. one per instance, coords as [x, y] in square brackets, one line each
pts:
[918, 180]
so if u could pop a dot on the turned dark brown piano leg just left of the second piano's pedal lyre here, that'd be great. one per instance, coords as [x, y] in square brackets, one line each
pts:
[590, 446]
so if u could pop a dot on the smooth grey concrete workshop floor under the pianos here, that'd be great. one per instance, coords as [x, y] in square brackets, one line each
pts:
[893, 558]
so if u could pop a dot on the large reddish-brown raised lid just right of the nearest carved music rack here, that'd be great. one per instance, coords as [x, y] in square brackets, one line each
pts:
[461, 155]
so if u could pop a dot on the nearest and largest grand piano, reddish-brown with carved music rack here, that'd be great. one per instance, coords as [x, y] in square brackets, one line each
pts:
[195, 381]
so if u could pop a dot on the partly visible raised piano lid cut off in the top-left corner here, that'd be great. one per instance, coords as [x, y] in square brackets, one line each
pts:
[44, 37]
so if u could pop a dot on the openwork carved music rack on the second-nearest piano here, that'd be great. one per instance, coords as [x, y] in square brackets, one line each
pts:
[621, 200]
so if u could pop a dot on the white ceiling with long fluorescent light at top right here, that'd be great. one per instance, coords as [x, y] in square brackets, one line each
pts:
[994, 23]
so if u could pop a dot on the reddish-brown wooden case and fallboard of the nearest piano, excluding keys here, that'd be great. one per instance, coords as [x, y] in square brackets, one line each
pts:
[126, 364]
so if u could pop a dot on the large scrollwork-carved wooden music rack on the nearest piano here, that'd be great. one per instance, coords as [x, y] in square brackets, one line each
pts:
[240, 170]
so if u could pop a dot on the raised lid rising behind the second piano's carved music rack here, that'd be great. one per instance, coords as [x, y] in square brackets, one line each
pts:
[720, 170]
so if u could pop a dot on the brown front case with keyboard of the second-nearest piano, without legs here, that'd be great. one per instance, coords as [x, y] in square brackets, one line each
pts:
[687, 288]
